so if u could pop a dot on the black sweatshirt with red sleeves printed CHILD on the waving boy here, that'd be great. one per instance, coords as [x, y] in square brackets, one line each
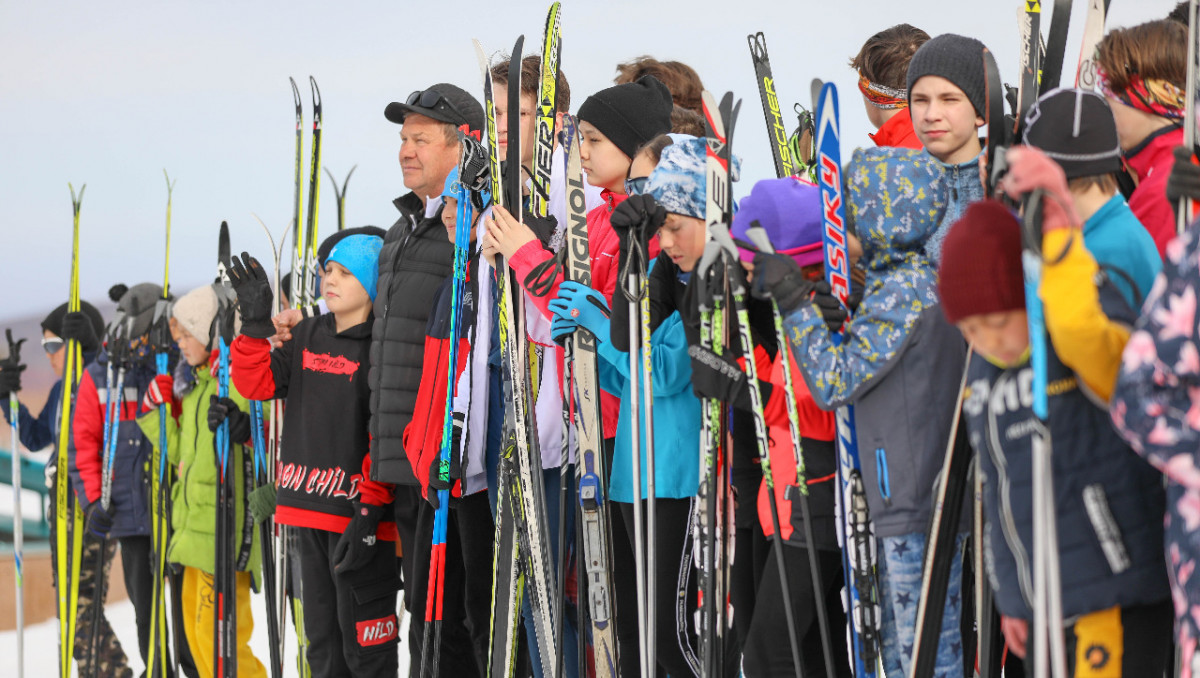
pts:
[323, 464]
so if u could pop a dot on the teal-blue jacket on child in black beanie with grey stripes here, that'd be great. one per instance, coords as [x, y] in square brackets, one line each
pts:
[1124, 249]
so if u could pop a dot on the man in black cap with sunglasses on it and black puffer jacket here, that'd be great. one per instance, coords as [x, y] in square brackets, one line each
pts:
[416, 259]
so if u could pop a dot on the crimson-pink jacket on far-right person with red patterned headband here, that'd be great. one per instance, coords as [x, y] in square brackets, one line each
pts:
[1151, 163]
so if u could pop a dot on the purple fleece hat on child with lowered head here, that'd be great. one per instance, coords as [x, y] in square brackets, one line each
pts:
[790, 211]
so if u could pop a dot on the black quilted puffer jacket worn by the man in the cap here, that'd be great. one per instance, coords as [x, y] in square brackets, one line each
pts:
[417, 256]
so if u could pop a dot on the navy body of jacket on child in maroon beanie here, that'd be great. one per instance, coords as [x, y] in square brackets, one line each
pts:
[1109, 503]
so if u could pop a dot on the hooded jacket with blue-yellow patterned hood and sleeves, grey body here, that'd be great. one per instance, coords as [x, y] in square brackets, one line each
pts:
[899, 362]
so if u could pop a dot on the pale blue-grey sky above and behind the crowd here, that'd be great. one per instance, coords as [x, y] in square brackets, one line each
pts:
[110, 94]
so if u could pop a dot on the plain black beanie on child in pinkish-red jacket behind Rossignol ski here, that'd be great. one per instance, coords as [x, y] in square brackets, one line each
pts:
[631, 115]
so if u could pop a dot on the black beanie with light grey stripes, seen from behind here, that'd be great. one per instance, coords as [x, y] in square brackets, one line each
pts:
[1077, 129]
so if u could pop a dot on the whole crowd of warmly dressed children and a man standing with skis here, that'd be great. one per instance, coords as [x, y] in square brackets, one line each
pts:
[939, 299]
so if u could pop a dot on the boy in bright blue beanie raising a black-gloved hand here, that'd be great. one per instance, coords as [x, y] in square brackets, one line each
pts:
[338, 515]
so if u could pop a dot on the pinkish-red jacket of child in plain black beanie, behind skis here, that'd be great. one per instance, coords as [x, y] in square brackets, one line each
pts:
[603, 254]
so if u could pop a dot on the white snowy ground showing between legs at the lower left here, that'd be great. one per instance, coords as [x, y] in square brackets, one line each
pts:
[43, 643]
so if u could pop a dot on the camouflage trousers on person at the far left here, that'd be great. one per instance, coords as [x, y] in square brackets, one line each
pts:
[109, 658]
